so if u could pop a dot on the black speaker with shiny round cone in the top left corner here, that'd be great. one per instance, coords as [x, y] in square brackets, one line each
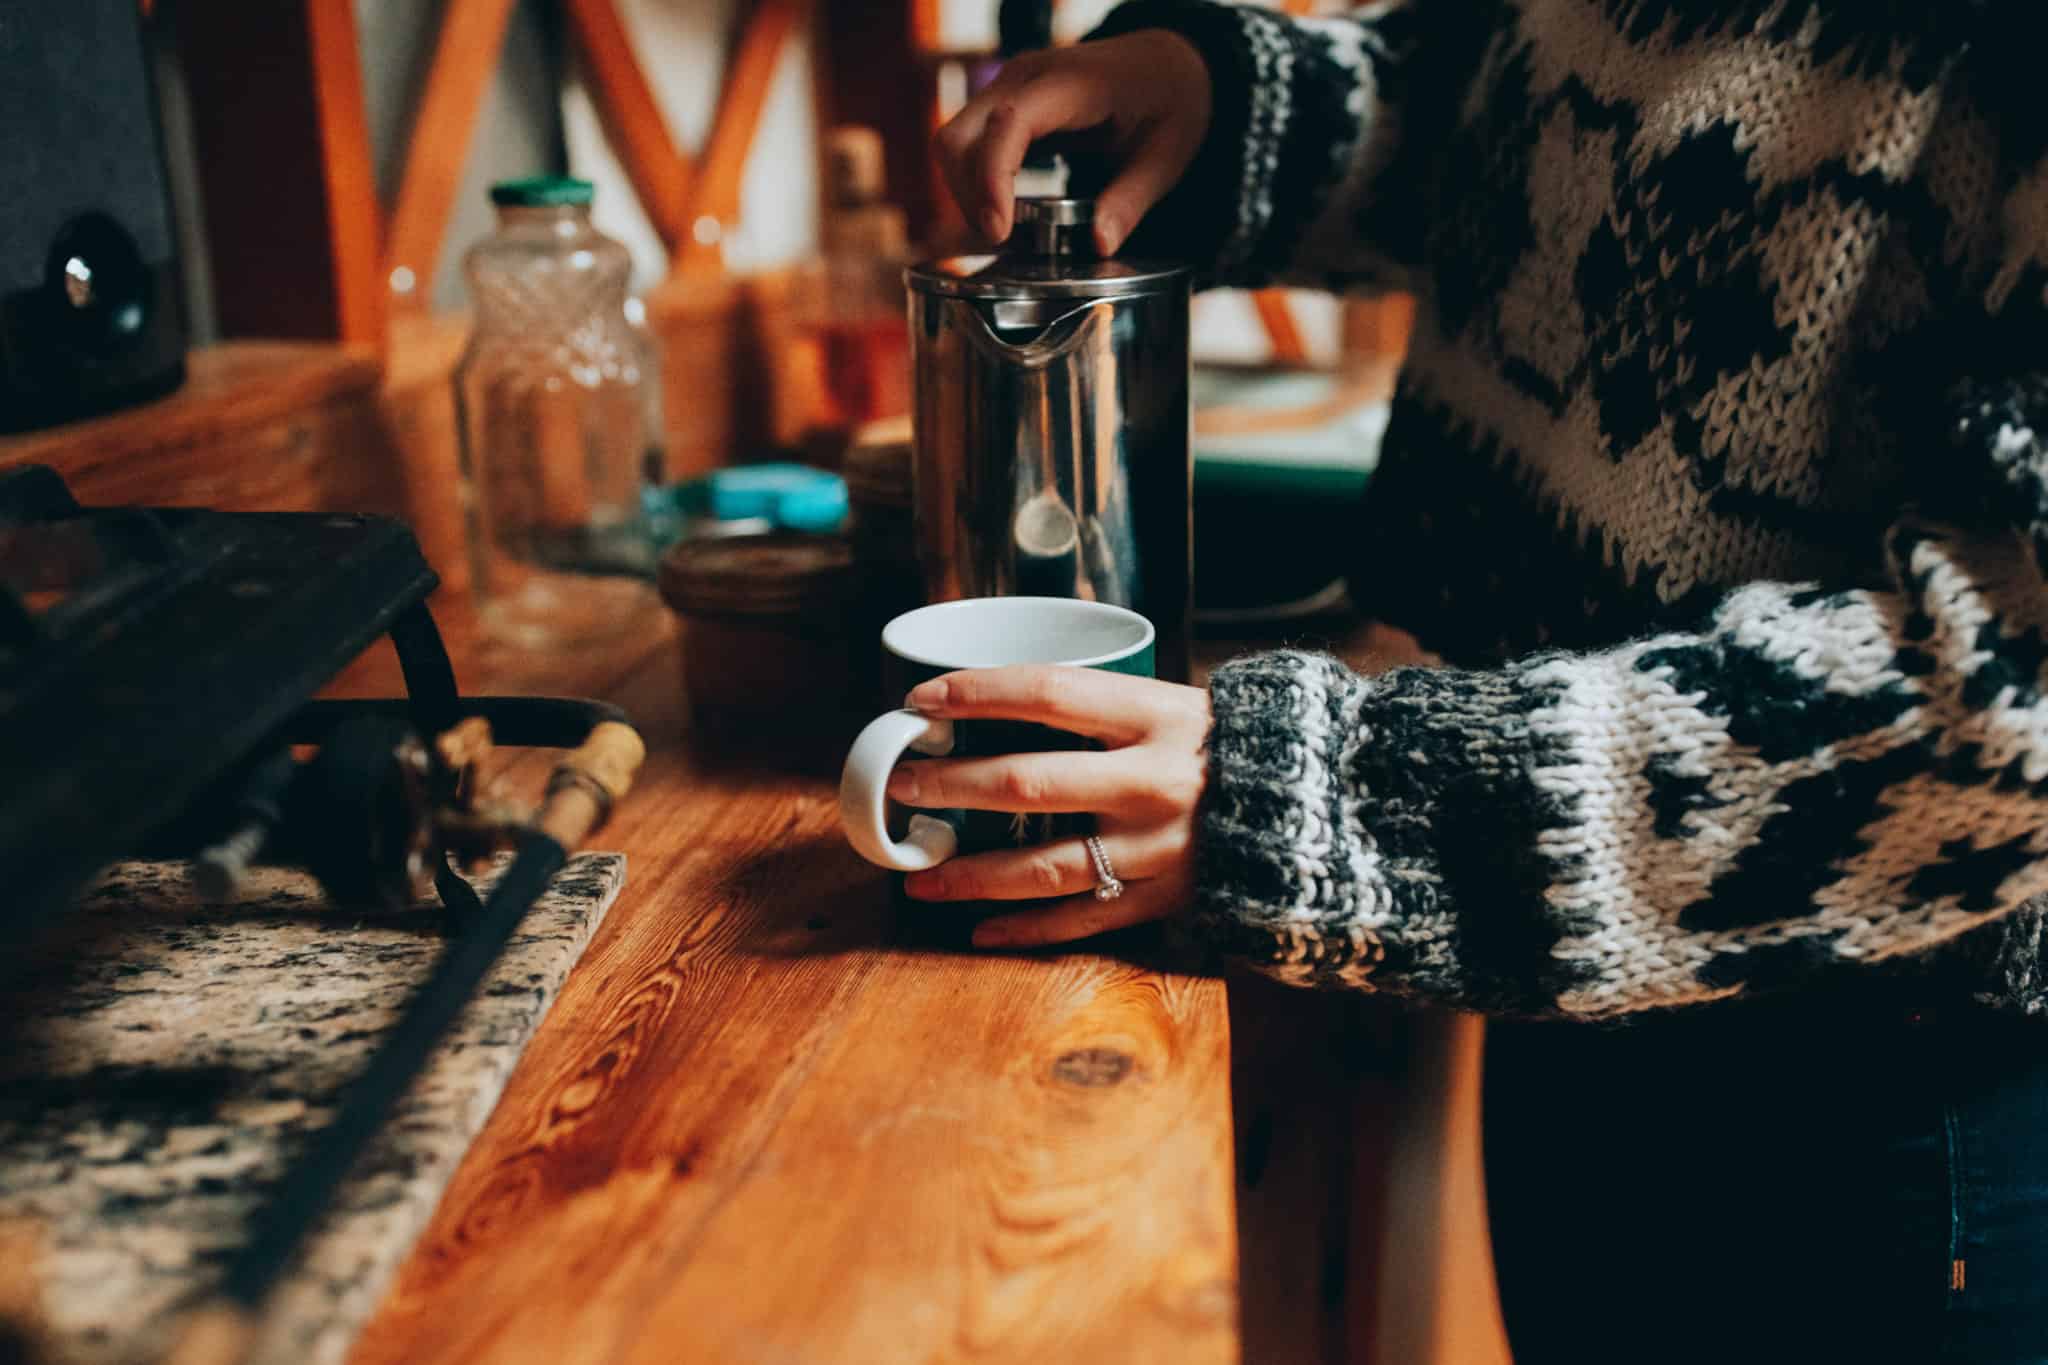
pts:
[89, 269]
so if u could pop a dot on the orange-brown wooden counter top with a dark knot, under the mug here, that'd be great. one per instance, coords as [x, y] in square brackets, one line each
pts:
[765, 1125]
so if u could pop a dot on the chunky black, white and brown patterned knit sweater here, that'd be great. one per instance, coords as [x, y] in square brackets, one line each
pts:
[1719, 476]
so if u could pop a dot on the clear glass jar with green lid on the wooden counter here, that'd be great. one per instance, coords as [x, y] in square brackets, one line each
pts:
[560, 425]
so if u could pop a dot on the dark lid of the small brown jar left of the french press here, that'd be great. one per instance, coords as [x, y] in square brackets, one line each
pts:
[775, 576]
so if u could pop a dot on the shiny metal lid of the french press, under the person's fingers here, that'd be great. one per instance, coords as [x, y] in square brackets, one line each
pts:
[1050, 255]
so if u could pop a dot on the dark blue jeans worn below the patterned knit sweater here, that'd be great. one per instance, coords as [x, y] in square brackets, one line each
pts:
[1844, 1178]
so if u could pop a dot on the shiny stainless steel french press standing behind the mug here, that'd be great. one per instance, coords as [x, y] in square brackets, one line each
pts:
[1052, 425]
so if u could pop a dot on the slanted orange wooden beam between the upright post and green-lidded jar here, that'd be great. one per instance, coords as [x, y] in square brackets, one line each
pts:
[472, 38]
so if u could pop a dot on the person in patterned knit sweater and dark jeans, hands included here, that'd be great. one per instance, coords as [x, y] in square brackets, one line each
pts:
[1719, 480]
